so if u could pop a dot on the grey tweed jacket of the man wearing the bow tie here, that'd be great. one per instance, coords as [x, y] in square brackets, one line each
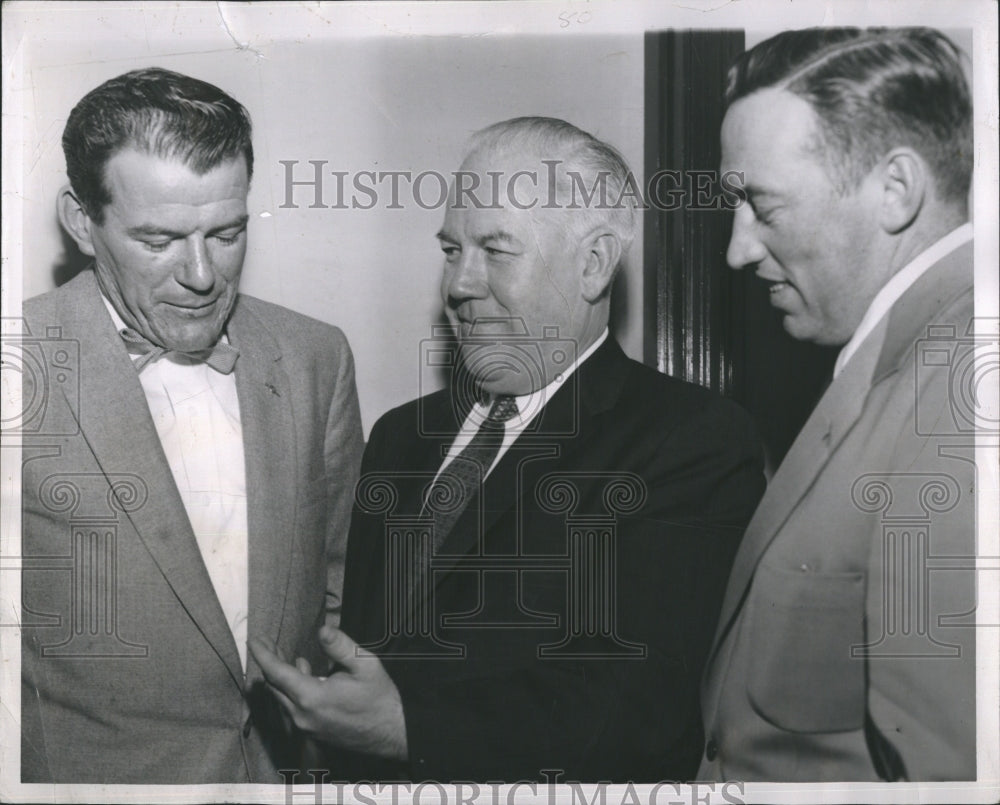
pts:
[130, 672]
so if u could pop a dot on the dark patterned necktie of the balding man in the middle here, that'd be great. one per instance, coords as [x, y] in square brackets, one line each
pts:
[462, 479]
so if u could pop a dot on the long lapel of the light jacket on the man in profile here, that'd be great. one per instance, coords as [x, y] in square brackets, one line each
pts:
[880, 355]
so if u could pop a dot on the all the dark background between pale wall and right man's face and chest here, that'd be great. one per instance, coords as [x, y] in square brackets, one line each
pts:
[704, 322]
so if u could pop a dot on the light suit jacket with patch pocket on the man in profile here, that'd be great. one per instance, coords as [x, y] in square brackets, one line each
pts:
[845, 649]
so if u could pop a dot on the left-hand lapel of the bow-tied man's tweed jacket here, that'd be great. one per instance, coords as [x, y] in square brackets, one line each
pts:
[115, 421]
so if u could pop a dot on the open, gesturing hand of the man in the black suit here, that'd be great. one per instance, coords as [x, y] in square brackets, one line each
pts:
[357, 707]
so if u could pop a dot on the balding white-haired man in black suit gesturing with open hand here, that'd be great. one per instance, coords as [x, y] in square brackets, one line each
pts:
[555, 616]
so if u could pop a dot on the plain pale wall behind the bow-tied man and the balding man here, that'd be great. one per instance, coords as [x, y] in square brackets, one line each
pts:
[393, 103]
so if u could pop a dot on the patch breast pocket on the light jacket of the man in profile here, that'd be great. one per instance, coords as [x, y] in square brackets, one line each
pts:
[803, 625]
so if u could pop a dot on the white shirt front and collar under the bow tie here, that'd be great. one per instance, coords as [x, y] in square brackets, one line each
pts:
[197, 416]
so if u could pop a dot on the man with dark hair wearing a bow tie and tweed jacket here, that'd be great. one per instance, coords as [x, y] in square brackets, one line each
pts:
[188, 474]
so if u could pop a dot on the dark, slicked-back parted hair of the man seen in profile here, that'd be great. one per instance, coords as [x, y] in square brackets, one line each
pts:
[872, 89]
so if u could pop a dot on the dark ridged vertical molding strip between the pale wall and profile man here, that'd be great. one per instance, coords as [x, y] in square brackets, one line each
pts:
[693, 302]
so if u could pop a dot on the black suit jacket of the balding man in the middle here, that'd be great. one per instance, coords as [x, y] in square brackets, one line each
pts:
[672, 469]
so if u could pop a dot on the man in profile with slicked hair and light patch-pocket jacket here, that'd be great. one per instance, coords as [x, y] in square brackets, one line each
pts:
[845, 648]
